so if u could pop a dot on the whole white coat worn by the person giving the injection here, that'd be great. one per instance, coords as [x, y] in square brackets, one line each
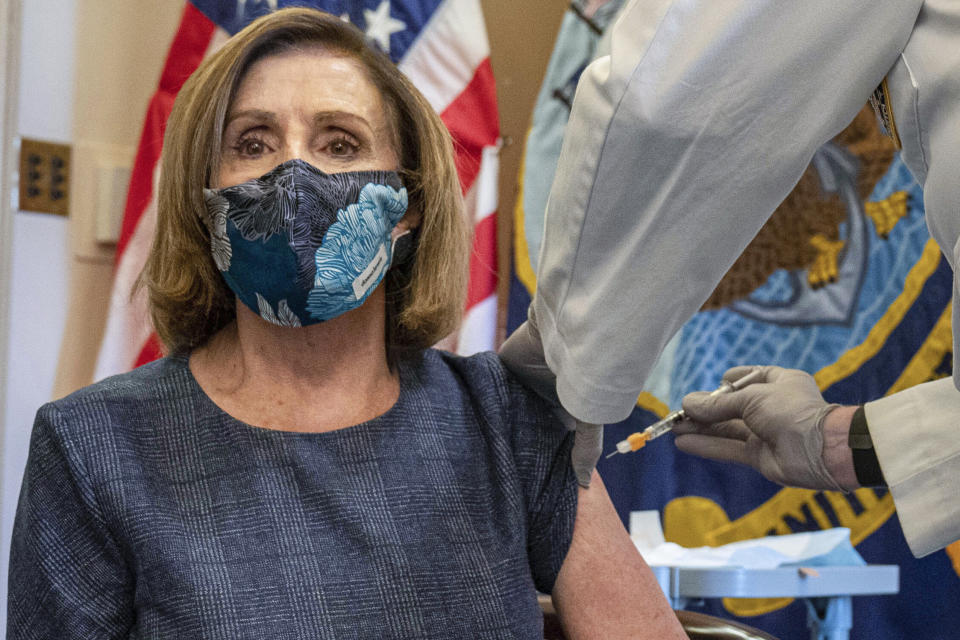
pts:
[680, 145]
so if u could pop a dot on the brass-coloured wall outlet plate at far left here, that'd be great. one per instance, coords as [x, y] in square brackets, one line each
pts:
[44, 177]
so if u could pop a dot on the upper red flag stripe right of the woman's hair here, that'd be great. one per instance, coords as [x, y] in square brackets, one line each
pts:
[473, 122]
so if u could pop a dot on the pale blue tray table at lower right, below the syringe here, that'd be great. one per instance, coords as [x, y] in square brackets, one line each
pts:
[827, 591]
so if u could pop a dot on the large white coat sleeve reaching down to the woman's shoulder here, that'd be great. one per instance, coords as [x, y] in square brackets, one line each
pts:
[680, 145]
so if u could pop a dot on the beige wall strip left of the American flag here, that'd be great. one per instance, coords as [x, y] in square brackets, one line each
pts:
[119, 53]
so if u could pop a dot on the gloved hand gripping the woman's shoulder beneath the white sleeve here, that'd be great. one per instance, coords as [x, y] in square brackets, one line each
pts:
[522, 354]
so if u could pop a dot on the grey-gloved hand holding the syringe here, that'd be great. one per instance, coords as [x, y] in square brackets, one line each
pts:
[774, 425]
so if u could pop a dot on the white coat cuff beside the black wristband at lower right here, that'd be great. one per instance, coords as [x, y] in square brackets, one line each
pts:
[914, 434]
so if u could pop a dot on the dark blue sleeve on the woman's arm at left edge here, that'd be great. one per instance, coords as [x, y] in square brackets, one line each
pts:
[68, 578]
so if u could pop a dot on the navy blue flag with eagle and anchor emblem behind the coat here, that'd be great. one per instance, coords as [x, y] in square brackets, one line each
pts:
[844, 282]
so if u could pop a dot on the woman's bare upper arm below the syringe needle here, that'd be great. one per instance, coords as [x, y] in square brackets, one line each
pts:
[604, 588]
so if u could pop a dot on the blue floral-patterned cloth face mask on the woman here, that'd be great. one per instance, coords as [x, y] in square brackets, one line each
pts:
[300, 246]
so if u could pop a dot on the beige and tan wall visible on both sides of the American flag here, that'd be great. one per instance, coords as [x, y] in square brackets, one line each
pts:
[120, 49]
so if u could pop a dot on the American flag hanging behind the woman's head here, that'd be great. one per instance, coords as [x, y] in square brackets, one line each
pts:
[441, 45]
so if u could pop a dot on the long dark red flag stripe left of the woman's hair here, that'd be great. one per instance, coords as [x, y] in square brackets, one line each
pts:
[187, 50]
